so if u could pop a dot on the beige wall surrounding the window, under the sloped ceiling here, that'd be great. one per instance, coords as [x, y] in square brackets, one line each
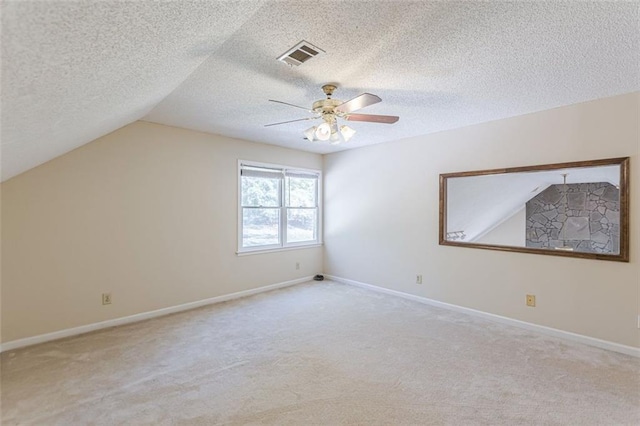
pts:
[147, 213]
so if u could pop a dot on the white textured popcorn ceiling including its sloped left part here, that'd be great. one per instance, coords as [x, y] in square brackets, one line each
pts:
[74, 71]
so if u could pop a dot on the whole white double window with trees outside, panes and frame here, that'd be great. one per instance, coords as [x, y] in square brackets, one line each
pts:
[279, 207]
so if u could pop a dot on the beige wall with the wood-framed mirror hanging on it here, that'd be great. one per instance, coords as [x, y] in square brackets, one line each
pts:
[382, 227]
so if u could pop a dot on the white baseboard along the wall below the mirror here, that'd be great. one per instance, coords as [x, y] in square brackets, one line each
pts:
[591, 341]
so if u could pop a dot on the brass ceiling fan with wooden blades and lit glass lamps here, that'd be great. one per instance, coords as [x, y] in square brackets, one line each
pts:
[330, 110]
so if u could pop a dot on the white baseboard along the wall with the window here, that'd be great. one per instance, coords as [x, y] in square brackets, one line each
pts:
[28, 341]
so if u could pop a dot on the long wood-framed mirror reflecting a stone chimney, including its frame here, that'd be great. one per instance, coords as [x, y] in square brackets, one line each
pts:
[578, 209]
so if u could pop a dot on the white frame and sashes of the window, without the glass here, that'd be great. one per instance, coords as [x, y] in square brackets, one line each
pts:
[282, 245]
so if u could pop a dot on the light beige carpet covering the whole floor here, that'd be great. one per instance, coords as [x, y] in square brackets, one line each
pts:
[318, 353]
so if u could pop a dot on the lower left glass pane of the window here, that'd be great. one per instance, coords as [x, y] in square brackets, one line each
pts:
[260, 227]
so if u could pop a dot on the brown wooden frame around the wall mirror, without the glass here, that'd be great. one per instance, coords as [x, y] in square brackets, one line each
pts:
[622, 256]
